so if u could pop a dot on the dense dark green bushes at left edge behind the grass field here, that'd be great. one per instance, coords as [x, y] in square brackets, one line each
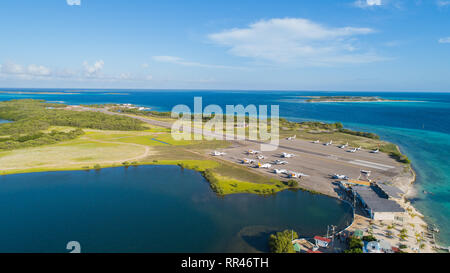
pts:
[32, 117]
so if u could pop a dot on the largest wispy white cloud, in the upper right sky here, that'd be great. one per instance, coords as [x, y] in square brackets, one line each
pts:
[295, 40]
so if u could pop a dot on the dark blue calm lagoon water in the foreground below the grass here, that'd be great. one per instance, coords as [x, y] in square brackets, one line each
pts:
[150, 209]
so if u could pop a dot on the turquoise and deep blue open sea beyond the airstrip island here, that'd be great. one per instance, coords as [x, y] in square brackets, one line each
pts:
[421, 127]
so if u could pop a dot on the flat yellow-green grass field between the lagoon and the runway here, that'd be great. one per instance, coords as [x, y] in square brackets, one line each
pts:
[98, 149]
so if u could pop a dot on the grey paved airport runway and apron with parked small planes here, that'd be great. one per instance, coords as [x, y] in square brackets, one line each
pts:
[316, 160]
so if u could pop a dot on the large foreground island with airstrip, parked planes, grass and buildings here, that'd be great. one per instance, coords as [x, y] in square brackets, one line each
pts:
[43, 137]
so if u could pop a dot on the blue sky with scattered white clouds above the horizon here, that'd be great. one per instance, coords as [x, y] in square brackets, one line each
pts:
[354, 45]
